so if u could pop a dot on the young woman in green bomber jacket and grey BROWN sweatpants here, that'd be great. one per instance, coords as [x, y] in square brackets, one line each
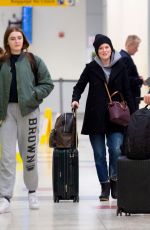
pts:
[20, 98]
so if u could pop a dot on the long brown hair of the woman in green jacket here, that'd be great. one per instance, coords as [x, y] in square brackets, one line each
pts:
[8, 31]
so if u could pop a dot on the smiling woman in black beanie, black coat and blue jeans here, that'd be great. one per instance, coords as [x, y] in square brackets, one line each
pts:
[105, 68]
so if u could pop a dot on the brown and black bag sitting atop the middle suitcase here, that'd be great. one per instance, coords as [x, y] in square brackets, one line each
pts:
[63, 135]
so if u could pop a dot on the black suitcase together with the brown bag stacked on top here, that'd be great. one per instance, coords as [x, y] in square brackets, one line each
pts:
[65, 165]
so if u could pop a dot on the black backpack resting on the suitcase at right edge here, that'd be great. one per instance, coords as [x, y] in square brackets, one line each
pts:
[137, 140]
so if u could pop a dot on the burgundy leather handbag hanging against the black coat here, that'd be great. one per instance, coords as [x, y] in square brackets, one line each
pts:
[119, 112]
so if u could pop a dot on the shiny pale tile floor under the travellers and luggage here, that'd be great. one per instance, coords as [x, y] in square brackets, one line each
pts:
[88, 214]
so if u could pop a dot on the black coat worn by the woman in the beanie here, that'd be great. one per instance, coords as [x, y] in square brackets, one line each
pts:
[96, 119]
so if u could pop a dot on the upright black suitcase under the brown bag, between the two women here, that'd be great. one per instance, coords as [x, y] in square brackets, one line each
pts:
[65, 174]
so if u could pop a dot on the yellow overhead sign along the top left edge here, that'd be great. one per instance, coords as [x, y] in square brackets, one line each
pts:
[37, 2]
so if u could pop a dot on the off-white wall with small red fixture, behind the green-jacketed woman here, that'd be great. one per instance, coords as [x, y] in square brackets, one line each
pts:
[65, 57]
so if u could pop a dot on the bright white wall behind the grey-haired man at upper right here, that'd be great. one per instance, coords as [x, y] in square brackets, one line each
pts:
[126, 17]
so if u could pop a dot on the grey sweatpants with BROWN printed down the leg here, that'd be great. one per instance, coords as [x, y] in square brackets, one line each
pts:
[26, 131]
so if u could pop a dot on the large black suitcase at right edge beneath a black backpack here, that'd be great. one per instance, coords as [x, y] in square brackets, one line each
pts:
[133, 186]
